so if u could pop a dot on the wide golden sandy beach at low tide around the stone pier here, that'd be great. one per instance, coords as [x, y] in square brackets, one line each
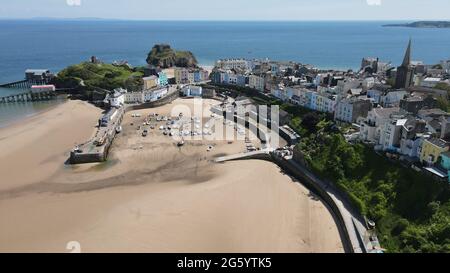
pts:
[151, 196]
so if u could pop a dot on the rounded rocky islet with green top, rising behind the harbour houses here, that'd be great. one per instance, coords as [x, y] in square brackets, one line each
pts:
[164, 56]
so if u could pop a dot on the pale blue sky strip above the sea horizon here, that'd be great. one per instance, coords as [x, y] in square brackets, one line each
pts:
[230, 9]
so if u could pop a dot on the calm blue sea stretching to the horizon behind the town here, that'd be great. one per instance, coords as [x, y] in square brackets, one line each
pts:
[56, 44]
